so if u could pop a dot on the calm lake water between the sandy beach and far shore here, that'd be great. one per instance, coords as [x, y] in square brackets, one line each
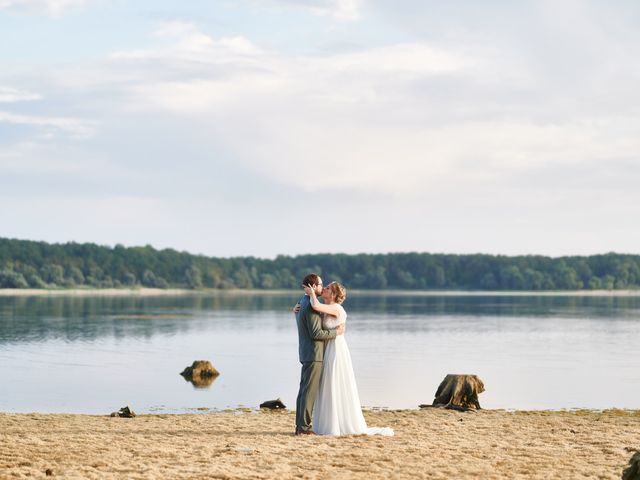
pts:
[97, 354]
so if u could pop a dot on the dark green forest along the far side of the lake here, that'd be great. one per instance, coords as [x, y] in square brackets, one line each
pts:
[28, 264]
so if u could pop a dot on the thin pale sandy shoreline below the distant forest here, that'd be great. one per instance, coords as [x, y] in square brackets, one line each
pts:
[150, 292]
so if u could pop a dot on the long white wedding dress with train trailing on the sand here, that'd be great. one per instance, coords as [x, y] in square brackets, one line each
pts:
[337, 409]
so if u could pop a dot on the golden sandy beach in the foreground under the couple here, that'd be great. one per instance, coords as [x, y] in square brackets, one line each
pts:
[431, 443]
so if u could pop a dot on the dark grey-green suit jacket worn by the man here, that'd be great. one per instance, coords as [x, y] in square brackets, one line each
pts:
[311, 336]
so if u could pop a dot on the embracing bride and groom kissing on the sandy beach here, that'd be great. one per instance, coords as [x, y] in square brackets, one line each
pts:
[328, 402]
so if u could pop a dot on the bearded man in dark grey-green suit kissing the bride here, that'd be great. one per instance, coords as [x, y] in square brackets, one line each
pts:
[311, 338]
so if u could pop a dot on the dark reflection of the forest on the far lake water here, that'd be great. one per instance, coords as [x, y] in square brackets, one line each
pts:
[86, 319]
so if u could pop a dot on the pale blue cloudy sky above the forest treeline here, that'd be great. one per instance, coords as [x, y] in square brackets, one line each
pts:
[284, 127]
